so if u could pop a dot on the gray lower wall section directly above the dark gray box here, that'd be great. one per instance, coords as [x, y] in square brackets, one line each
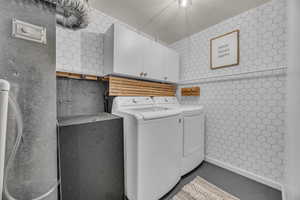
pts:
[79, 97]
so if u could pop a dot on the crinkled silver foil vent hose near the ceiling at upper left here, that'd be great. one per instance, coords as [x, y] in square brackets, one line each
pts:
[72, 14]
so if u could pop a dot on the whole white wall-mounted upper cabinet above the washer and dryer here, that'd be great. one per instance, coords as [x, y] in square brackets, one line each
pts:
[128, 53]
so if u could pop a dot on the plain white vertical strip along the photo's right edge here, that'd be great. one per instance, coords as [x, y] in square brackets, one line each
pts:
[292, 179]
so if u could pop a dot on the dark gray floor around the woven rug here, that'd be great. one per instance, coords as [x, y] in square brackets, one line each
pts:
[237, 185]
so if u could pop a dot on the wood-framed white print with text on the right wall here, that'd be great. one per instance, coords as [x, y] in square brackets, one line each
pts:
[224, 50]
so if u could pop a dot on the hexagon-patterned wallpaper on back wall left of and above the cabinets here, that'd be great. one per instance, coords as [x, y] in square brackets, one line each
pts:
[81, 51]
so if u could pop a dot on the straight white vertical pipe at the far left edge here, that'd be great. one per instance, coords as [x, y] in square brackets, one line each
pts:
[4, 89]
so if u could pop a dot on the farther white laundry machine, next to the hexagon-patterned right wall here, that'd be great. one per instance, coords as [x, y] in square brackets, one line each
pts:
[193, 132]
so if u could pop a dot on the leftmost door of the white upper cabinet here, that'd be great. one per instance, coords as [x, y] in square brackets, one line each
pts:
[129, 52]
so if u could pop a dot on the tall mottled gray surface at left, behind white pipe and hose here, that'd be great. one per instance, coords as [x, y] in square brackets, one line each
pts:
[30, 68]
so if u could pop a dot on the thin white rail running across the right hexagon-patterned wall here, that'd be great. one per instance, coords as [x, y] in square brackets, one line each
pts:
[201, 79]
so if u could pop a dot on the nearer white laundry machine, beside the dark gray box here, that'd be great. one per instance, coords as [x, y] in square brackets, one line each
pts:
[152, 146]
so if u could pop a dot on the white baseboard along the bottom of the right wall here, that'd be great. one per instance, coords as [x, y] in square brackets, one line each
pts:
[245, 173]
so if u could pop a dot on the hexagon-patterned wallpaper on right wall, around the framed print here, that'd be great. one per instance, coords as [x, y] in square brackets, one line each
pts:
[245, 104]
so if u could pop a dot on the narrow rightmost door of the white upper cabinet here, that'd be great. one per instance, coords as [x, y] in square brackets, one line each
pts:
[171, 65]
